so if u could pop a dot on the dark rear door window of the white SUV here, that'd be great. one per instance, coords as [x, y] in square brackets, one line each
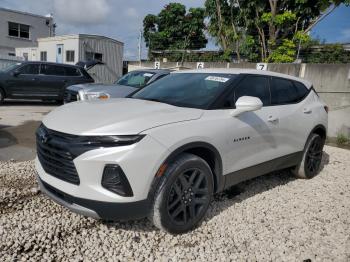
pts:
[283, 92]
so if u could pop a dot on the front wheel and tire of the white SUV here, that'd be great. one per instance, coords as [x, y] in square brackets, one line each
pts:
[184, 195]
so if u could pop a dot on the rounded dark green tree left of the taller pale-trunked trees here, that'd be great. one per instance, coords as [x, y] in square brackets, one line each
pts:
[175, 29]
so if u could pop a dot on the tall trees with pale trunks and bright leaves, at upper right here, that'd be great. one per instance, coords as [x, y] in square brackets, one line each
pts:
[277, 27]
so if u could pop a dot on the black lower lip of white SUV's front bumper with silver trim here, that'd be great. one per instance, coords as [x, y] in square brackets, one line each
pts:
[97, 209]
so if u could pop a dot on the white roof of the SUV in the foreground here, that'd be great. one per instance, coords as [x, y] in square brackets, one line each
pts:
[238, 71]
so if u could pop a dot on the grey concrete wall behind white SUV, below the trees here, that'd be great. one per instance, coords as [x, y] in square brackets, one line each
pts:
[331, 81]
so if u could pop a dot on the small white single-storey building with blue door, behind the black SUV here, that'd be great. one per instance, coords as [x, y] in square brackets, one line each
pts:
[70, 49]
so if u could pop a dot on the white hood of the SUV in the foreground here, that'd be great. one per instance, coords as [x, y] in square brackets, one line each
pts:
[123, 116]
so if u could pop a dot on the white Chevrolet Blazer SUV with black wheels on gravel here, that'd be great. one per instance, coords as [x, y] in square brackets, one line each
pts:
[165, 151]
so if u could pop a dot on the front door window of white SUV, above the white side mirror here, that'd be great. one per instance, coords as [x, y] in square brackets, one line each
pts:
[257, 86]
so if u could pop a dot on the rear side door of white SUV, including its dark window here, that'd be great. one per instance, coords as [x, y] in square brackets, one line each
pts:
[295, 116]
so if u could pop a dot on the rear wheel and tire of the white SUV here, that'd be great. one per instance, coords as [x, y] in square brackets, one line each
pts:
[312, 157]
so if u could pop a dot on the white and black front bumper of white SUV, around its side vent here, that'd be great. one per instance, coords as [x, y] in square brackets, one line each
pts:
[90, 198]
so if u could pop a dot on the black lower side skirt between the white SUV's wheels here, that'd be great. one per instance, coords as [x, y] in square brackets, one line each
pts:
[263, 168]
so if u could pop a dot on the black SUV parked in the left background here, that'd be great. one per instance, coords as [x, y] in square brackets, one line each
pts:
[40, 80]
